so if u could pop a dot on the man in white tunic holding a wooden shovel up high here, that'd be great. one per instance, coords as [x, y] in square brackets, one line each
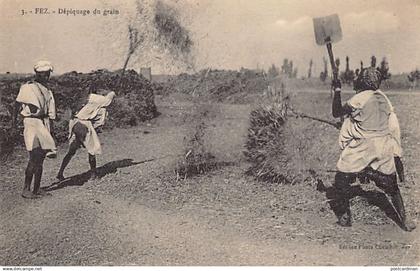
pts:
[366, 138]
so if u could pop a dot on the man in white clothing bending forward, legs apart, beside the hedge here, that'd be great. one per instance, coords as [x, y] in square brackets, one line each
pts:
[83, 130]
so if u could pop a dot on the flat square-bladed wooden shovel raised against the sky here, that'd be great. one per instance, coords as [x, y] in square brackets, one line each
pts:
[327, 31]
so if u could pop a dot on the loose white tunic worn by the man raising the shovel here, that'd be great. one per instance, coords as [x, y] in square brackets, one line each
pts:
[365, 137]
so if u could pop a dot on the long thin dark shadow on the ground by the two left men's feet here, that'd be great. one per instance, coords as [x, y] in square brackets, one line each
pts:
[80, 179]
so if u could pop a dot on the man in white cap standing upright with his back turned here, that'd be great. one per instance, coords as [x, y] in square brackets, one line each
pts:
[37, 106]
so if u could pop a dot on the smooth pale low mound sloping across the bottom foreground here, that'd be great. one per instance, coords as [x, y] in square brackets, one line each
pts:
[97, 229]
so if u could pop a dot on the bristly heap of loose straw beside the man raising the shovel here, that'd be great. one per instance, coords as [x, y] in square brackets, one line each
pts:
[285, 148]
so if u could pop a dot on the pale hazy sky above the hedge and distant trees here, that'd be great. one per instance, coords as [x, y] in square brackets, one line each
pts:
[227, 34]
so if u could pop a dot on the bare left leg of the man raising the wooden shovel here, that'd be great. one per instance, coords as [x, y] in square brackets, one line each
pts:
[340, 204]
